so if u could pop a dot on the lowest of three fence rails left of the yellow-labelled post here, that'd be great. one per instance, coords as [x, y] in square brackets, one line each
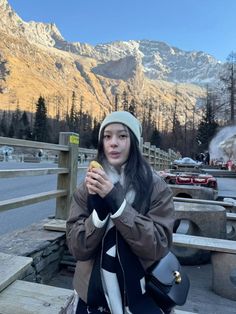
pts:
[30, 199]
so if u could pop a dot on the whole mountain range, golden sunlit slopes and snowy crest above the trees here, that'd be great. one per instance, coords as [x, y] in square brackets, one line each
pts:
[53, 67]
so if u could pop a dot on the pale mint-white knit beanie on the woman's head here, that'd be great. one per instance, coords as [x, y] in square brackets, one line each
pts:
[125, 118]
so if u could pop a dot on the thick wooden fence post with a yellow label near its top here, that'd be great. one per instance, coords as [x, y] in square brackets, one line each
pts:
[67, 181]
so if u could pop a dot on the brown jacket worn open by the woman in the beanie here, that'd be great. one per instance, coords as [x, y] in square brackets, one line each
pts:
[149, 236]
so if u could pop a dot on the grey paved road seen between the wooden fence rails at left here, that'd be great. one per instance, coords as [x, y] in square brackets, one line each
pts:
[14, 187]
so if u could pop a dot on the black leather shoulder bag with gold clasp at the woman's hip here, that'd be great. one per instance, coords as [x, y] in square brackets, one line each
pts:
[167, 283]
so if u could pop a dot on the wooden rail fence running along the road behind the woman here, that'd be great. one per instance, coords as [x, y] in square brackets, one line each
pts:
[66, 152]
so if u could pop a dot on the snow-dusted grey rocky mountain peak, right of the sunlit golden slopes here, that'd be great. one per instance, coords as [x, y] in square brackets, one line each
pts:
[162, 62]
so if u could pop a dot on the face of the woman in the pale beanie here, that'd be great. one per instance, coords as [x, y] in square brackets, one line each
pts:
[116, 144]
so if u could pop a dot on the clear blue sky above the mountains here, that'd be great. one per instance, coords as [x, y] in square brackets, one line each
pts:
[201, 25]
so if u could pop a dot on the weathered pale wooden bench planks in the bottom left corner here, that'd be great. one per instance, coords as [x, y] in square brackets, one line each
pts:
[30, 297]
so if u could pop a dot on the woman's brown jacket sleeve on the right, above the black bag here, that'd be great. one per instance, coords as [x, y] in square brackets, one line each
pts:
[149, 236]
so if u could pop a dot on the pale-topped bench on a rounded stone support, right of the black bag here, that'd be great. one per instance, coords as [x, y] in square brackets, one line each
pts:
[223, 259]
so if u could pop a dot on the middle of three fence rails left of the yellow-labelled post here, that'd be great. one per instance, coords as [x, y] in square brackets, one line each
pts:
[12, 173]
